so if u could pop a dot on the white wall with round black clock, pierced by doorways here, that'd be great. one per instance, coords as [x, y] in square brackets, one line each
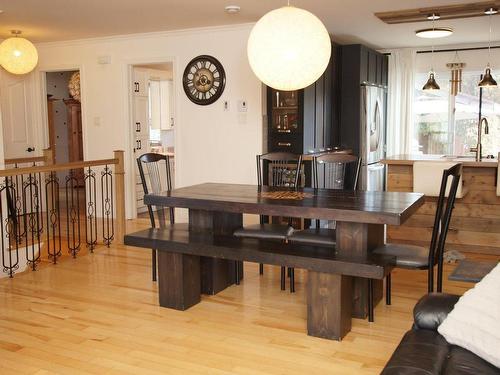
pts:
[210, 144]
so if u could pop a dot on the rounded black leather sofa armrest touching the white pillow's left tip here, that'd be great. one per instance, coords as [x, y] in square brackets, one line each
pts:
[432, 309]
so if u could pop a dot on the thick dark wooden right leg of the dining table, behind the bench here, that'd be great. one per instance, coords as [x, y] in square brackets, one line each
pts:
[358, 240]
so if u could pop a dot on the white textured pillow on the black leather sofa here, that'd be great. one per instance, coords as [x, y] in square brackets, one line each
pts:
[474, 322]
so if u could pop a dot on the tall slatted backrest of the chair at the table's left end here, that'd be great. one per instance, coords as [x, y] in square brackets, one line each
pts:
[156, 177]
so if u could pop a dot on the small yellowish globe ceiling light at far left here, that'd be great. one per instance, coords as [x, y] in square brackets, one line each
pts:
[18, 55]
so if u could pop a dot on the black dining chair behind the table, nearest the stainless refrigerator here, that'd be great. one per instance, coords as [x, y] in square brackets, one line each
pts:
[339, 171]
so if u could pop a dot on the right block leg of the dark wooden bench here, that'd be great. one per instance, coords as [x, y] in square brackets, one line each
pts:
[328, 305]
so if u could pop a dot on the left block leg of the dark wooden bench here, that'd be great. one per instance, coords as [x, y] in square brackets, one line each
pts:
[178, 280]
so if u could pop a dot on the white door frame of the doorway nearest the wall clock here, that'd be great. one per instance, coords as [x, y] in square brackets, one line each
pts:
[128, 100]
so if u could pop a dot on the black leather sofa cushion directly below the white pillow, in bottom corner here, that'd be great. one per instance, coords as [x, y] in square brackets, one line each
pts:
[463, 362]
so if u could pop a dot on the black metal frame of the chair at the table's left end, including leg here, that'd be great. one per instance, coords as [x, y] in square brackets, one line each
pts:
[156, 158]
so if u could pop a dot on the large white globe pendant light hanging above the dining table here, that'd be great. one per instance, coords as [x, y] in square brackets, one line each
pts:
[289, 48]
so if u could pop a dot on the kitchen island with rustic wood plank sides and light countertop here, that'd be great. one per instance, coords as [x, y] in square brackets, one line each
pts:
[475, 224]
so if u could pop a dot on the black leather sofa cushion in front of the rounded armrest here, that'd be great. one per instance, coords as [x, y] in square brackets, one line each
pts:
[420, 352]
